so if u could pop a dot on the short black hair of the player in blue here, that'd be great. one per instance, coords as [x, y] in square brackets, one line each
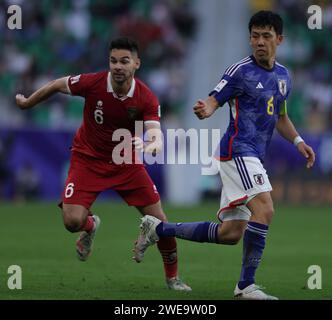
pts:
[265, 18]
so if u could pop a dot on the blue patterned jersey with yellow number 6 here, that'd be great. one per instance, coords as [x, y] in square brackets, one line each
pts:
[256, 97]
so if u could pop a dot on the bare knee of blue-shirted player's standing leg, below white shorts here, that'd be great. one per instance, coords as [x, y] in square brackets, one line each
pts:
[261, 207]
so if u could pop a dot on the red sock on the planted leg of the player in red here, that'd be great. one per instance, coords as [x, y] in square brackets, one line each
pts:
[167, 248]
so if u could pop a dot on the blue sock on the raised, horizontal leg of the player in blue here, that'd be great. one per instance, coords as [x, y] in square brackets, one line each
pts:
[193, 231]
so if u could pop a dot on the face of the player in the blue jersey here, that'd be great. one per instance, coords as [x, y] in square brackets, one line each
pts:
[264, 42]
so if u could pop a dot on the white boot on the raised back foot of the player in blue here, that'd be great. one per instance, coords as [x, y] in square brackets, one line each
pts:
[147, 236]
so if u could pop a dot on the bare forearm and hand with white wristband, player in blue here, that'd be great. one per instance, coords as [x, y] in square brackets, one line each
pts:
[287, 130]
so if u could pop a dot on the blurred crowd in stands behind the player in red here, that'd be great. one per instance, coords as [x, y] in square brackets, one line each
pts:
[72, 36]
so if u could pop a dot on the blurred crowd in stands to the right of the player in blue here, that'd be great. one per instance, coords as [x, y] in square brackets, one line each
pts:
[308, 55]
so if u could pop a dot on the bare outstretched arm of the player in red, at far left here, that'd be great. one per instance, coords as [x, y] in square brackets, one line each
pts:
[43, 93]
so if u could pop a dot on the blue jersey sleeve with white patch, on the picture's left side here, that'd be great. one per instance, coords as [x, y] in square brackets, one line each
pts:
[230, 86]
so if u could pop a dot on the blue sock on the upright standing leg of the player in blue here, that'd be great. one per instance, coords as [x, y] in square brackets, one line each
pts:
[253, 246]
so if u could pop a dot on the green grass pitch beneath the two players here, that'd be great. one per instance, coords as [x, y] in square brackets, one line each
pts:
[33, 237]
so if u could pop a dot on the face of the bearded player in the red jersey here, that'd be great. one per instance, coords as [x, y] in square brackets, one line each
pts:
[123, 65]
